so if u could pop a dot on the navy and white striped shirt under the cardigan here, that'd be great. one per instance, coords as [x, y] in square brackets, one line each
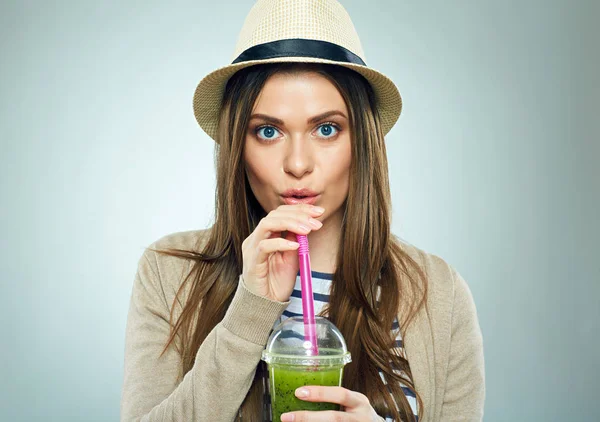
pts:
[321, 283]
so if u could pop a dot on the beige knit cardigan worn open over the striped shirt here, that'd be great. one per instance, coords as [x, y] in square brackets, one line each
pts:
[443, 346]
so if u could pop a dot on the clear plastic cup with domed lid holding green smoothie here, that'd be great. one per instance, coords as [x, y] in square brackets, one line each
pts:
[291, 363]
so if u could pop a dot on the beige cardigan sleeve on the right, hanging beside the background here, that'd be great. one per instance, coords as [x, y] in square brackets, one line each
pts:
[465, 383]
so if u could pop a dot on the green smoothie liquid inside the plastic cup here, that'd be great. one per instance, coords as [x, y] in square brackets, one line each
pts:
[285, 379]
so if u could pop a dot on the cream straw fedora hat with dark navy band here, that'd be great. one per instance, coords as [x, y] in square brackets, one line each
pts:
[306, 31]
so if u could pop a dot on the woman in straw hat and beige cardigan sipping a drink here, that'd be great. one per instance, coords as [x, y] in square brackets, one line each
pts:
[299, 122]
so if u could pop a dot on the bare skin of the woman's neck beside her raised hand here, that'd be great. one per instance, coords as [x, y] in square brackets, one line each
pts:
[324, 245]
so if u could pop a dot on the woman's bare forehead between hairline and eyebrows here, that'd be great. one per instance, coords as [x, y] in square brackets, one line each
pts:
[302, 91]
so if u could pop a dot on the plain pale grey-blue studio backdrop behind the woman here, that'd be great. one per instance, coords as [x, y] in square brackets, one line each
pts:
[493, 166]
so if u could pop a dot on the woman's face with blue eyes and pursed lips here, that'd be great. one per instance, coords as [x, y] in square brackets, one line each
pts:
[299, 138]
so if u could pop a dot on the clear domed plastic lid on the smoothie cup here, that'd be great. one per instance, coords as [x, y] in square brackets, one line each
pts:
[287, 344]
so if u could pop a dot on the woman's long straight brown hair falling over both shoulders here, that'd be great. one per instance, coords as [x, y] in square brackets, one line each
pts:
[369, 258]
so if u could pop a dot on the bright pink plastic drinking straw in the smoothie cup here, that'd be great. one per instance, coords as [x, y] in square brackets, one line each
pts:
[308, 305]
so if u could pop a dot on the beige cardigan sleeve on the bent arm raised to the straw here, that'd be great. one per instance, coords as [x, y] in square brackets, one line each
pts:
[224, 365]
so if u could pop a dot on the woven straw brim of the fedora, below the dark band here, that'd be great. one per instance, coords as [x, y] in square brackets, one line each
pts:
[209, 92]
